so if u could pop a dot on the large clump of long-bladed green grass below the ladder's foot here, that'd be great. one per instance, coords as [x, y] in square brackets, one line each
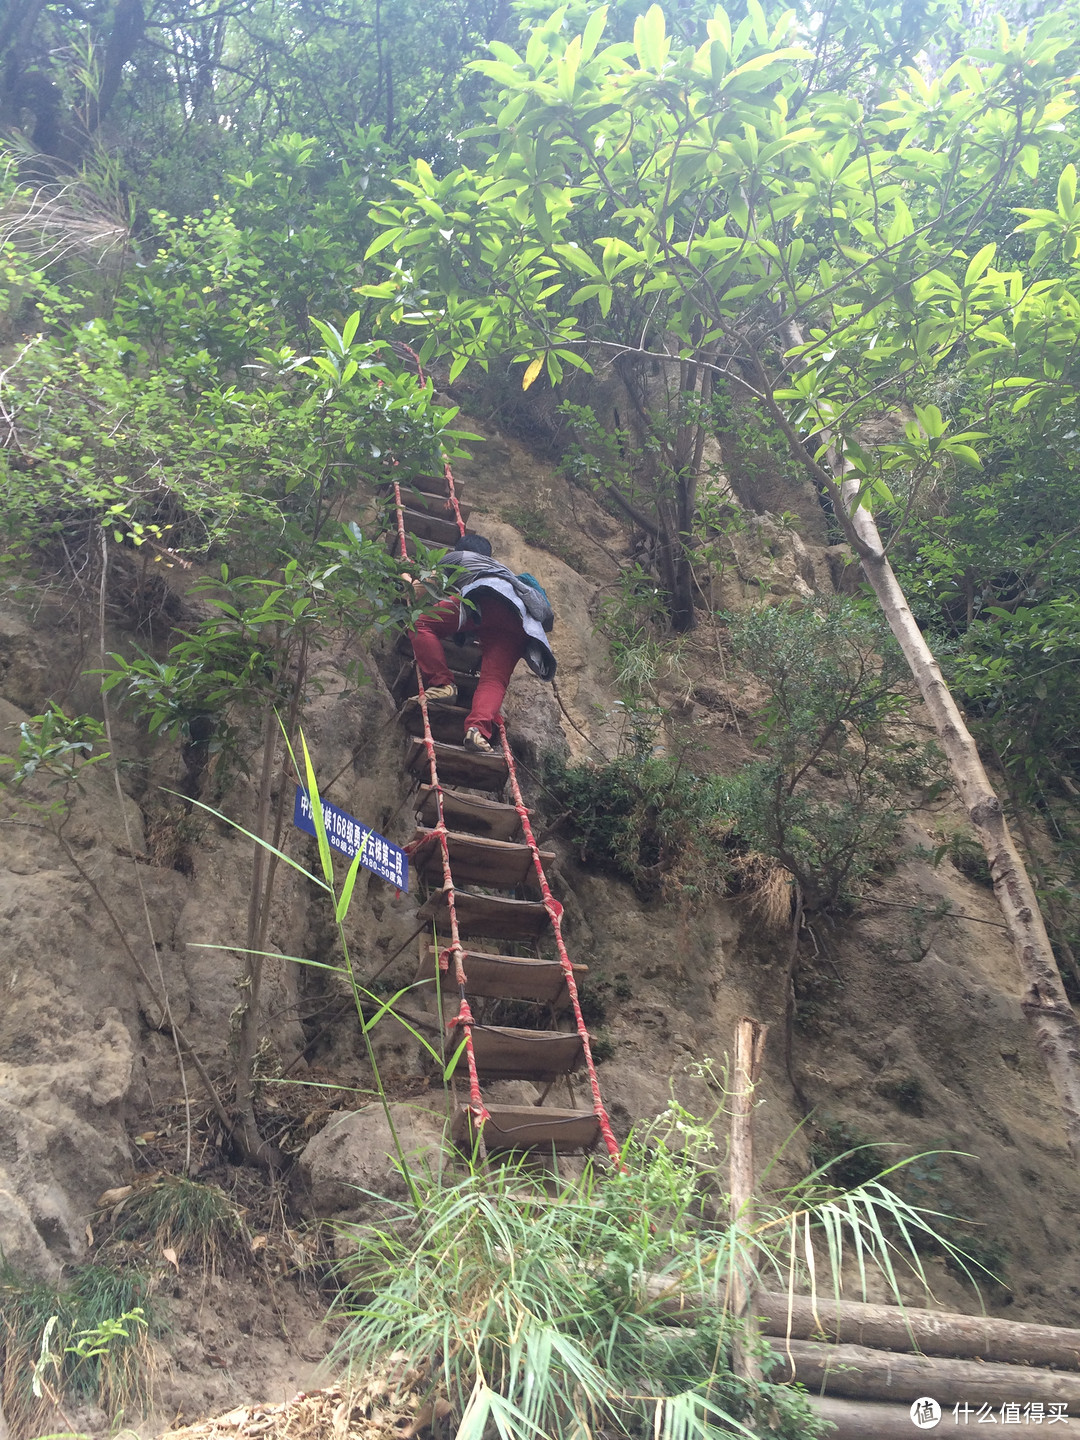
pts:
[546, 1315]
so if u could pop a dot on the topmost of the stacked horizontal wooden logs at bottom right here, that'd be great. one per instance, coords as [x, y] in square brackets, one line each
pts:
[931, 1333]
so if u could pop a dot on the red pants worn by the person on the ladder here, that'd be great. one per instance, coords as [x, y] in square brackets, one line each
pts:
[502, 640]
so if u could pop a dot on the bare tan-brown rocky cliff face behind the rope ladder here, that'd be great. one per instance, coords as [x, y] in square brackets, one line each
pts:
[909, 1023]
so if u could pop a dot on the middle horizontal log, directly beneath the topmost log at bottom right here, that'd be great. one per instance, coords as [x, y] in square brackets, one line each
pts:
[870, 1374]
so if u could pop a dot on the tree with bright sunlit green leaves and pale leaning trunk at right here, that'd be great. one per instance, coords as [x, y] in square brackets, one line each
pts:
[823, 247]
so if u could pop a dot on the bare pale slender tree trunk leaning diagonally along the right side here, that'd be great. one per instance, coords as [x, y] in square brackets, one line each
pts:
[1045, 1002]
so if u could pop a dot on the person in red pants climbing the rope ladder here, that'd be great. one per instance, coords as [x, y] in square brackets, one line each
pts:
[509, 614]
